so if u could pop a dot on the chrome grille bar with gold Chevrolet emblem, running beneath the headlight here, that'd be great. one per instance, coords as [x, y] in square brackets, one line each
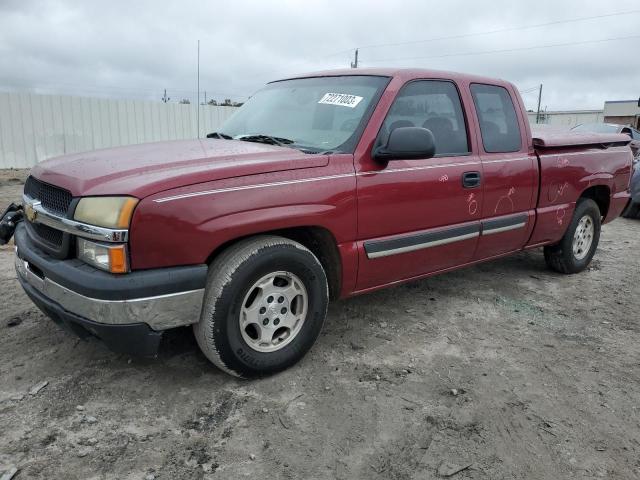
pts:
[45, 217]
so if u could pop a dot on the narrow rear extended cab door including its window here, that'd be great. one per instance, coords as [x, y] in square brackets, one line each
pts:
[510, 171]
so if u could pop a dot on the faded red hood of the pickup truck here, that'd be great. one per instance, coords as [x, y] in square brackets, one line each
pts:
[145, 169]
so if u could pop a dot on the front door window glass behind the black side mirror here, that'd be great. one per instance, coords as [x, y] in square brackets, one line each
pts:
[431, 104]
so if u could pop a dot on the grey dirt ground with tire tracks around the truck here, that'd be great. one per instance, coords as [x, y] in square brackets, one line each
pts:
[503, 370]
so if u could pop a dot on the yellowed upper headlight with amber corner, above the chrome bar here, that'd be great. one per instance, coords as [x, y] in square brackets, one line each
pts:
[110, 212]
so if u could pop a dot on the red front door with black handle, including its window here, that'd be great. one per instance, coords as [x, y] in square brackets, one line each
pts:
[419, 216]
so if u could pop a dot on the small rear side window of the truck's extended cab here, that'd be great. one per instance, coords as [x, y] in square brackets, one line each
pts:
[498, 119]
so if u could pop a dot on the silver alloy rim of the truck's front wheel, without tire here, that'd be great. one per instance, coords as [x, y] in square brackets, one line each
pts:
[273, 311]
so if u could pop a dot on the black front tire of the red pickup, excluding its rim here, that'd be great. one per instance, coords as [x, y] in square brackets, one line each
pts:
[231, 276]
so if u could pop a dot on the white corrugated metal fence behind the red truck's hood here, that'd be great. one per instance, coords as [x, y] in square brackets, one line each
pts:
[36, 127]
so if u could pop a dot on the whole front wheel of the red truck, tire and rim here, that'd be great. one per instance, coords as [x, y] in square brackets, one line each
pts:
[265, 303]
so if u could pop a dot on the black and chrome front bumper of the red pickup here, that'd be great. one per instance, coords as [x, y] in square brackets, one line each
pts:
[144, 302]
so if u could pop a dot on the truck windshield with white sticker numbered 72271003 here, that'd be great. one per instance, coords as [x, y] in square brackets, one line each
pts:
[316, 114]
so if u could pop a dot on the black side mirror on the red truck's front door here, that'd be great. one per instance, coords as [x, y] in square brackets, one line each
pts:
[407, 143]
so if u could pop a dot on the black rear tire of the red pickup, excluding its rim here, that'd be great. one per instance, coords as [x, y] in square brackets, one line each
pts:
[560, 257]
